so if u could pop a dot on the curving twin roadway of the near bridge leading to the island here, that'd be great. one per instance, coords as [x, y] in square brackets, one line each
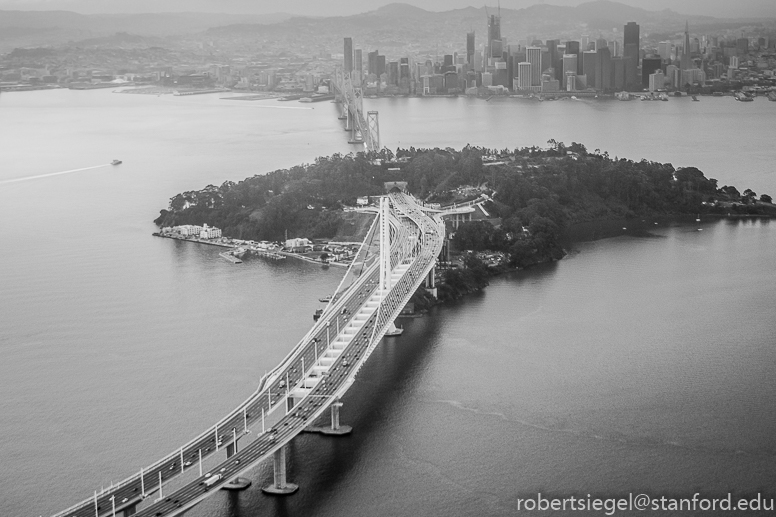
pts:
[316, 373]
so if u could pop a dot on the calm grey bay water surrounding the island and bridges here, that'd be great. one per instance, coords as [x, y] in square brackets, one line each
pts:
[635, 364]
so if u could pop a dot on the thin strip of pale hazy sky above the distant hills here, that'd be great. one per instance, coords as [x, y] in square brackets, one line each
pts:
[719, 8]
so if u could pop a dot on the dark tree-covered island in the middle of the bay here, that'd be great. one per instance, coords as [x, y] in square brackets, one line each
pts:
[525, 201]
